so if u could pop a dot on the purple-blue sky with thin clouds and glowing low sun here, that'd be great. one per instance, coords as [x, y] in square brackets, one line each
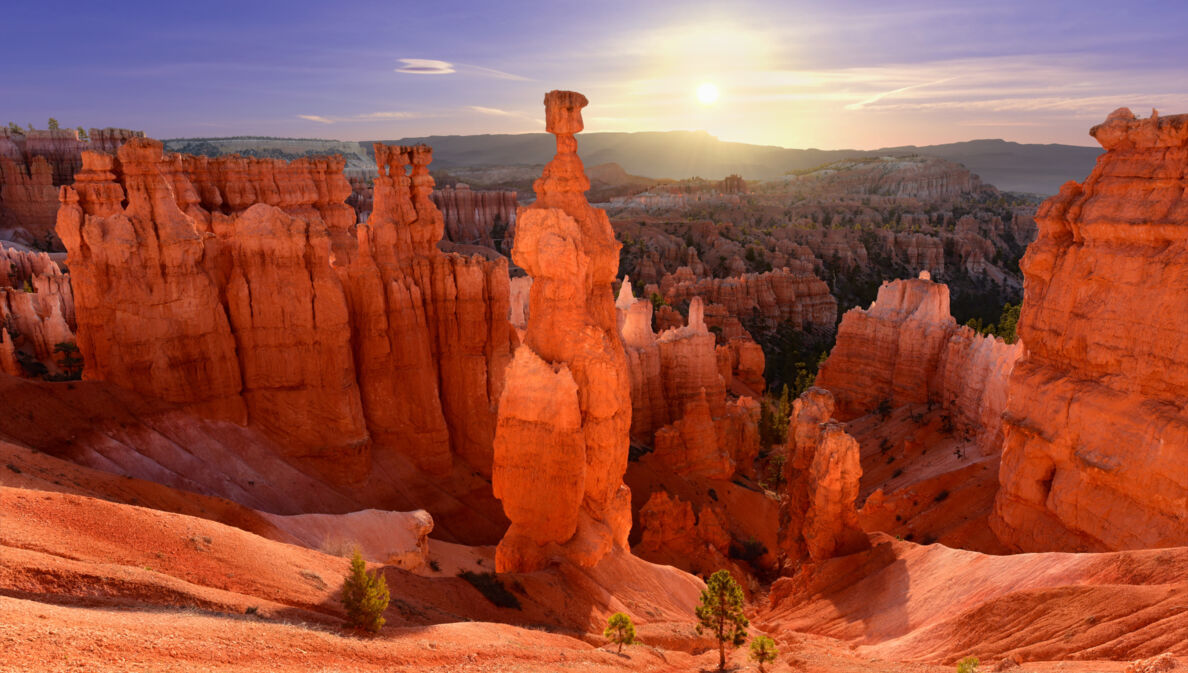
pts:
[844, 74]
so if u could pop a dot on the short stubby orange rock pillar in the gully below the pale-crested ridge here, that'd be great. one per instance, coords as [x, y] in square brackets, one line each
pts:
[819, 518]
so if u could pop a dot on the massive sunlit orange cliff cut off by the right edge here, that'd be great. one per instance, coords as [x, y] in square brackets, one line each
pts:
[1097, 437]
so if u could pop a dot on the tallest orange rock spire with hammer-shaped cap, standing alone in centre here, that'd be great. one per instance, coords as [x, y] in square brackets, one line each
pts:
[572, 367]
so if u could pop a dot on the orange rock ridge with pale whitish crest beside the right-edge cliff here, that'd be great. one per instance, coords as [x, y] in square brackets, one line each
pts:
[906, 349]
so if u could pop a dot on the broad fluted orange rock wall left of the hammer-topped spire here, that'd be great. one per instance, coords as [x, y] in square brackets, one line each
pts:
[244, 292]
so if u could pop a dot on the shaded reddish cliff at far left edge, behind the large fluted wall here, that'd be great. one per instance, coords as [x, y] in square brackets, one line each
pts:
[33, 167]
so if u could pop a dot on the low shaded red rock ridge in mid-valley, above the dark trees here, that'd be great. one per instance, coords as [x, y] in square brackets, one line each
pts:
[791, 294]
